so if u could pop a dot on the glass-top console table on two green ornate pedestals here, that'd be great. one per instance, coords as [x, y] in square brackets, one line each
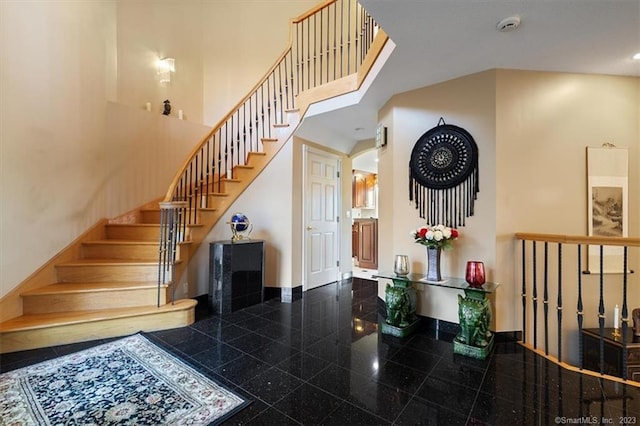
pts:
[474, 312]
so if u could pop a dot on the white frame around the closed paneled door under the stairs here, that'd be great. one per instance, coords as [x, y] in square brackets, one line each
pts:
[306, 149]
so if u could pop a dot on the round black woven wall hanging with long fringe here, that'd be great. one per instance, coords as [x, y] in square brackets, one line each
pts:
[443, 175]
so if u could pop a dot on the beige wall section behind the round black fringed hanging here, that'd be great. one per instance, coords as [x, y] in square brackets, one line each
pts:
[466, 102]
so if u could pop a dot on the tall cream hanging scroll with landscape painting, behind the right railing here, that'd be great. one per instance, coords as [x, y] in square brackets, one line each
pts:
[608, 201]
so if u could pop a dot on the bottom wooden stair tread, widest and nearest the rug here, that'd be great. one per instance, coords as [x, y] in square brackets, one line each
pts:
[39, 321]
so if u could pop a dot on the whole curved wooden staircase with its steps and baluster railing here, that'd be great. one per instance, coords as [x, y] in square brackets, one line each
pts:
[107, 284]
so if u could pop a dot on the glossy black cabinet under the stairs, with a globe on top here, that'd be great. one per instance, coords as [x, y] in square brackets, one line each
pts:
[236, 275]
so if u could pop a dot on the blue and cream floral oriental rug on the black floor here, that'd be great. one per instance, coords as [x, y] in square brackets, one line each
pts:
[128, 381]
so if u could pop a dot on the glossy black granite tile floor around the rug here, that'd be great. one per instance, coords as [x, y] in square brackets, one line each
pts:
[321, 360]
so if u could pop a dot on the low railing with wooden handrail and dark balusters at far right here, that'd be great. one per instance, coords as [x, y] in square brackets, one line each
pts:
[562, 274]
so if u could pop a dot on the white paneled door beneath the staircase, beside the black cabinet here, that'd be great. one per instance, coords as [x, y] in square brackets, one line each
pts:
[321, 223]
